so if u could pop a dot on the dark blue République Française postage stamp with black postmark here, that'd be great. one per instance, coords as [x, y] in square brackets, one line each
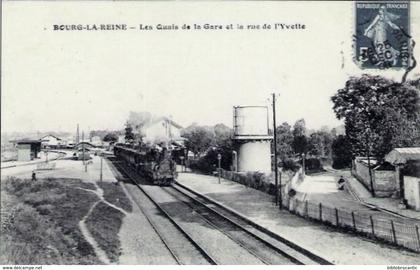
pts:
[382, 34]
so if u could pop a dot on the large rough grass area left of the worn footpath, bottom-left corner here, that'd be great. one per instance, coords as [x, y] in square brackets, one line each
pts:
[40, 224]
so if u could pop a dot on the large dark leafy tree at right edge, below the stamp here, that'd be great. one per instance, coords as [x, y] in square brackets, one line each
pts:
[379, 114]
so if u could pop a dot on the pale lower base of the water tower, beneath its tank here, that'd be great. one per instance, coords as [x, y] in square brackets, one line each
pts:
[255, 156]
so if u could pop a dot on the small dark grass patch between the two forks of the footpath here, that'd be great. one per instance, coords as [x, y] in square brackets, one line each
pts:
[104, 223]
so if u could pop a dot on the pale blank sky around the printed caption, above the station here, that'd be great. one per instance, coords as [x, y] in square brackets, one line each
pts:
[52, 80]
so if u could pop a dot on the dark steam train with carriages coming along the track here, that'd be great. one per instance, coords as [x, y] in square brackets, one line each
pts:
[155, 163]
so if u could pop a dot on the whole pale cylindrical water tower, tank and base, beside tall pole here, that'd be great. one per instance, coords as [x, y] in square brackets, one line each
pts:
[253, 143]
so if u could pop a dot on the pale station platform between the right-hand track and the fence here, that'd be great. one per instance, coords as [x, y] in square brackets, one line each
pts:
[333, 245]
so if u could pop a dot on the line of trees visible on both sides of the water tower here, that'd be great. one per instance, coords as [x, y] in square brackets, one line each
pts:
[292, 141]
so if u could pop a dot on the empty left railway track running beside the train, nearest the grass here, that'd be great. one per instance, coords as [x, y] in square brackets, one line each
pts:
[181, 253]
